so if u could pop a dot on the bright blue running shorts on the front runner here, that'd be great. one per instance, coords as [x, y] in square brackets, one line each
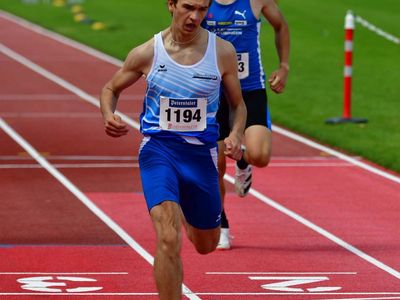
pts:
[184, 173]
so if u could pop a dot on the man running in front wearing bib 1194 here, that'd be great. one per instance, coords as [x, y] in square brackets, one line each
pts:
[178, 120]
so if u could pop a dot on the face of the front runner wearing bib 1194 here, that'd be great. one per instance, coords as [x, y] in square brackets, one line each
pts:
[188, 14]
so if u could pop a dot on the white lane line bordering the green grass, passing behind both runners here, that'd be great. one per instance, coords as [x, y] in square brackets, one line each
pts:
[104, 57]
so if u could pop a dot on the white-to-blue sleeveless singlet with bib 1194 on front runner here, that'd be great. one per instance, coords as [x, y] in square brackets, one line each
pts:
[181, 101]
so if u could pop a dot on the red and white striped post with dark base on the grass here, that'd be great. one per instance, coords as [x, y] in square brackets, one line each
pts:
[349, 26]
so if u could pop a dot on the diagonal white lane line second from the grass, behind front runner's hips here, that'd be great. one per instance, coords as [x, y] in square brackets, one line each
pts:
[227, 177]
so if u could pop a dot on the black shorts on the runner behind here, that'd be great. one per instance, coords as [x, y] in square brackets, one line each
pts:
[257, 111]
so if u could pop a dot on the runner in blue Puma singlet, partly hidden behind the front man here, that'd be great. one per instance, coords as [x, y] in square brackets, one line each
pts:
[239, 21]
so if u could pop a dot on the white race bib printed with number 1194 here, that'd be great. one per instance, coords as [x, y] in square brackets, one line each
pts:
[183, 114]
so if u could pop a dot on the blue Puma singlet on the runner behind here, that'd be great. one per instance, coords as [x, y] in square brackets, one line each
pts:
[237, 24]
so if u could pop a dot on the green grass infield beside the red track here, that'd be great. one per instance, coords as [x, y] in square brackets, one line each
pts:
[314, 89]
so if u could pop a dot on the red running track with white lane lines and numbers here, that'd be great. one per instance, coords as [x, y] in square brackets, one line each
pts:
[73, 224]
